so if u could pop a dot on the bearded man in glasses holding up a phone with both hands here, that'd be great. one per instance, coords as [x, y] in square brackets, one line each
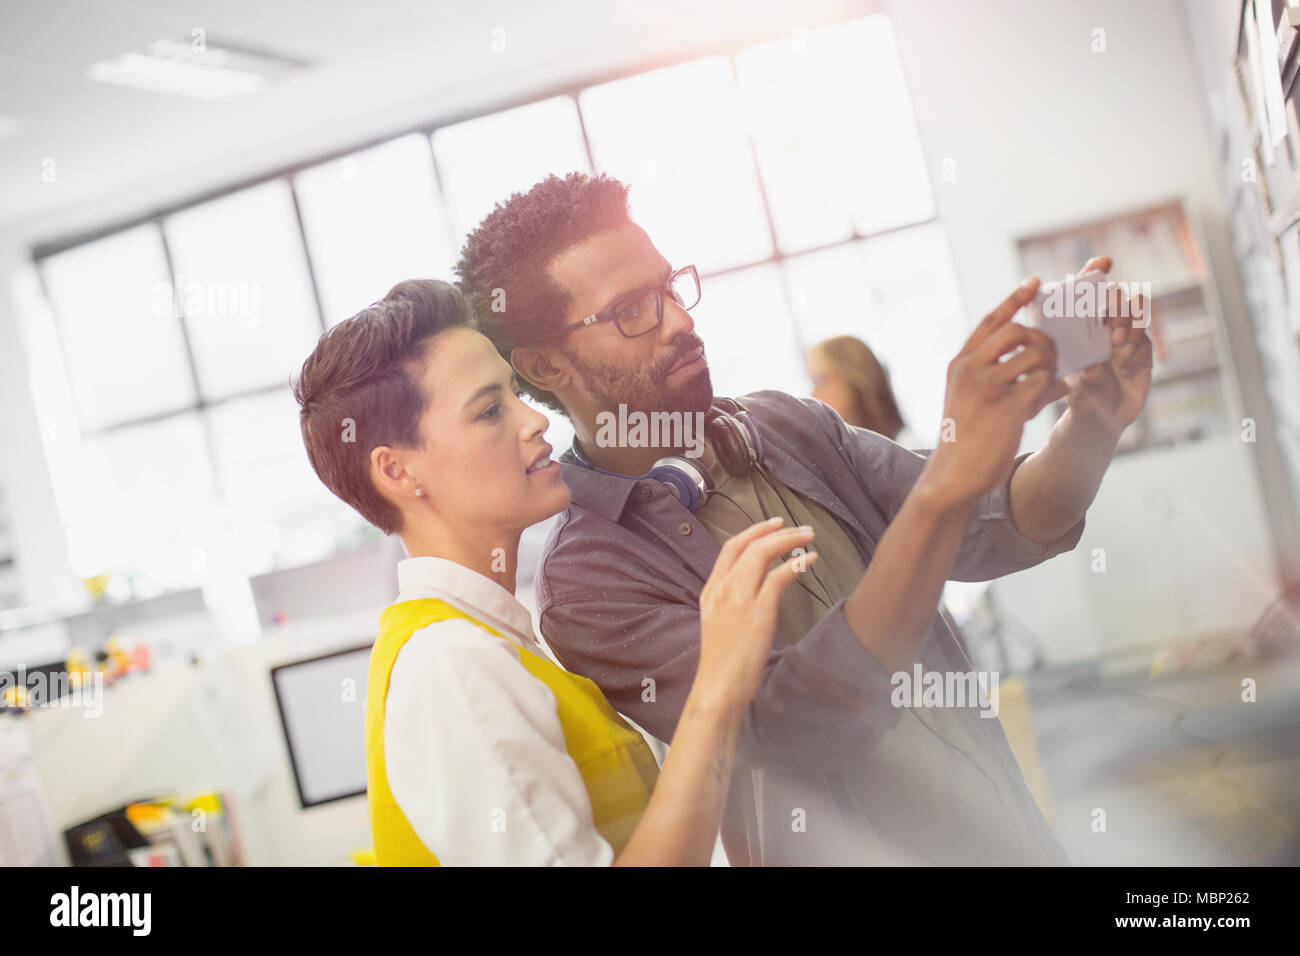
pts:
[830, 771]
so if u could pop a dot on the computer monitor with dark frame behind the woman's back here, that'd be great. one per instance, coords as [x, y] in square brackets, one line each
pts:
[322, 706]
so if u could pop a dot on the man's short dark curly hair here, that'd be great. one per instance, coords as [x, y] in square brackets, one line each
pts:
[502, 269]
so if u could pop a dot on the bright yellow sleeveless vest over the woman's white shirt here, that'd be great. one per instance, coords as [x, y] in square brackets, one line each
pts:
[617, 765]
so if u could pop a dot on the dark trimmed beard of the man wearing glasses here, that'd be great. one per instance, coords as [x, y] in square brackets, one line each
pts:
[644, 388]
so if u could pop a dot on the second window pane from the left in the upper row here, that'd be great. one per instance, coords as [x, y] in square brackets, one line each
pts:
[245, 289]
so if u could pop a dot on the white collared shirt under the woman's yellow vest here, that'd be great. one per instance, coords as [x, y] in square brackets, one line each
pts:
[474, 747]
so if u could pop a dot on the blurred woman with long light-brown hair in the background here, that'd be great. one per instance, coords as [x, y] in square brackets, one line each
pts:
[848, 377]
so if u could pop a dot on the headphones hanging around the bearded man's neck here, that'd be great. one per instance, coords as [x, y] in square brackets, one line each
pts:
[735, 440]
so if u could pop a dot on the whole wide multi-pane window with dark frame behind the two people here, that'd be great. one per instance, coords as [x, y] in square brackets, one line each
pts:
[791, 174]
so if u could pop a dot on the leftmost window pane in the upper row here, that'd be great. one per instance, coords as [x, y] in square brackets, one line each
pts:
[125, 352]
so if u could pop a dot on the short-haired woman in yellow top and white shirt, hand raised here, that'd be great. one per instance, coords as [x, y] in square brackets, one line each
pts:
[479, 749]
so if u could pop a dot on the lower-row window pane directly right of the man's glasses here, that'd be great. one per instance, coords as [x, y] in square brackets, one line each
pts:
[749, 335]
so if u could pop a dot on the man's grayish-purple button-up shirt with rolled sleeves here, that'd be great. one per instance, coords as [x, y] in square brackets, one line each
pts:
[829, 772]
